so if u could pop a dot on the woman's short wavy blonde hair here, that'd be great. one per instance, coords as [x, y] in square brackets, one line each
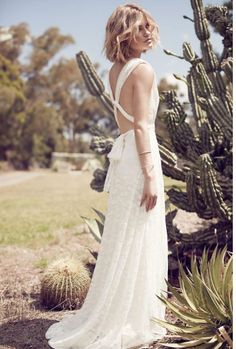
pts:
[122, 27]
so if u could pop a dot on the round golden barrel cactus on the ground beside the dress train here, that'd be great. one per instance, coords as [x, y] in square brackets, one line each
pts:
[65, 284]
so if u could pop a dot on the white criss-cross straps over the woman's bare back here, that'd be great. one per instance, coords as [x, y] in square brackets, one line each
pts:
[122, 77]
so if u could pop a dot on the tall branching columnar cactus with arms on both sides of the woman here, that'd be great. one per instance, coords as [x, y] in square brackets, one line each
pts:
[202, 159]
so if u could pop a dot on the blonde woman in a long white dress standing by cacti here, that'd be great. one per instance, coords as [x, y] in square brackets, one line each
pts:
[131, 267]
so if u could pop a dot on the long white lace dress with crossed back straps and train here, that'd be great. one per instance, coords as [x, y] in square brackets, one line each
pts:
[133, 255]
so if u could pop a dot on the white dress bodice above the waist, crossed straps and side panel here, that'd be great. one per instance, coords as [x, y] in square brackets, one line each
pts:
[122, 77]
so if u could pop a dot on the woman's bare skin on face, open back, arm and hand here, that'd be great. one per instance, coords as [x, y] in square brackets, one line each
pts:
[134, 98]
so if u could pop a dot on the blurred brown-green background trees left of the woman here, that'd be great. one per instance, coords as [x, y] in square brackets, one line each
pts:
[43, 105]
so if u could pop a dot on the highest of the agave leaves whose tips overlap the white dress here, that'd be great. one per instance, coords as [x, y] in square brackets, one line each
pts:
[183, 314]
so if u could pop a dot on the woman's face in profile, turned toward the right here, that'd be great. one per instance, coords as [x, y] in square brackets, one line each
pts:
[143, 37]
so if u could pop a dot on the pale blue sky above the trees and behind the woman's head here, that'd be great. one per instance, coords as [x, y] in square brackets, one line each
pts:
[86, 21]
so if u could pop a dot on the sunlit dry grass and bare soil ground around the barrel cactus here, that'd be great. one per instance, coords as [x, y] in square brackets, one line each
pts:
[26, 249]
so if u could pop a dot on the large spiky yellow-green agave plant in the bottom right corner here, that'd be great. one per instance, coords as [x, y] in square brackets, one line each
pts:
[203, 303]
